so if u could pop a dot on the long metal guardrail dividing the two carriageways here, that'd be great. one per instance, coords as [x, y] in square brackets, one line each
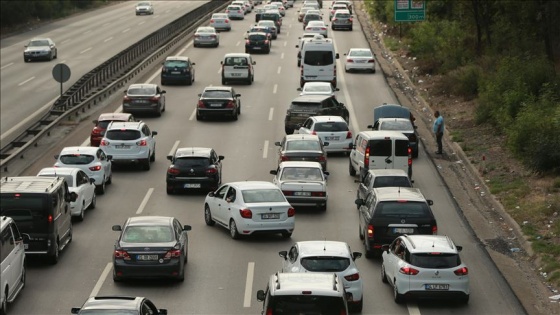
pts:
[104, 80]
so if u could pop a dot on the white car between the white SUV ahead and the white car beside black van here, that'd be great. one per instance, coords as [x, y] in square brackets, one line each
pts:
[92, 160]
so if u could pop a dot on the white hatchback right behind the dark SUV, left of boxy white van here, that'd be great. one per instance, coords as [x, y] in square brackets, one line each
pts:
[331, 129]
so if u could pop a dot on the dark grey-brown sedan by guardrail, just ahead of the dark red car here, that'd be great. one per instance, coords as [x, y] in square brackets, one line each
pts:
[144, 98]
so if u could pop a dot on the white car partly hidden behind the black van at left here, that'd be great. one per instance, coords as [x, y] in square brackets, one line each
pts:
[79, 183]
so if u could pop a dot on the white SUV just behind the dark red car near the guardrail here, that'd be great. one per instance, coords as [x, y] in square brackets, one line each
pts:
[130, 142]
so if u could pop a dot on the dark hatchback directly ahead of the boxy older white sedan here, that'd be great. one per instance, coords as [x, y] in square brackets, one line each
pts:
[302, 148]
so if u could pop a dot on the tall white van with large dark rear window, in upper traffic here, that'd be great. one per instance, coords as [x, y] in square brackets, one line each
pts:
[318, 61]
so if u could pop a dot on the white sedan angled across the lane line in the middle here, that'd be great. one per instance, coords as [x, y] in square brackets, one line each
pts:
[250, 207]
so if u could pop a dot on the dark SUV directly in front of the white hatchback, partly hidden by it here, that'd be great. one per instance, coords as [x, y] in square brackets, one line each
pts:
[303, 107]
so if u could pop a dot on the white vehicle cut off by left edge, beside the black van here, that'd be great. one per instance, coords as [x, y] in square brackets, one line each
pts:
[12, 254]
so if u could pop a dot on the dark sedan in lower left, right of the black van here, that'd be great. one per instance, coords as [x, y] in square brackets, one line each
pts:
[151, 247]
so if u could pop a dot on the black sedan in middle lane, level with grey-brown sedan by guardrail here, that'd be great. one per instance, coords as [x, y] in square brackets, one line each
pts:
[218, 101]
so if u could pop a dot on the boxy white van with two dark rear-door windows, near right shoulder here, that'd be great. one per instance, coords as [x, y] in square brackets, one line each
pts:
[380, 150]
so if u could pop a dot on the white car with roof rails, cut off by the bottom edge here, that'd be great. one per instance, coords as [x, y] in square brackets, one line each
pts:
[304, 293]
